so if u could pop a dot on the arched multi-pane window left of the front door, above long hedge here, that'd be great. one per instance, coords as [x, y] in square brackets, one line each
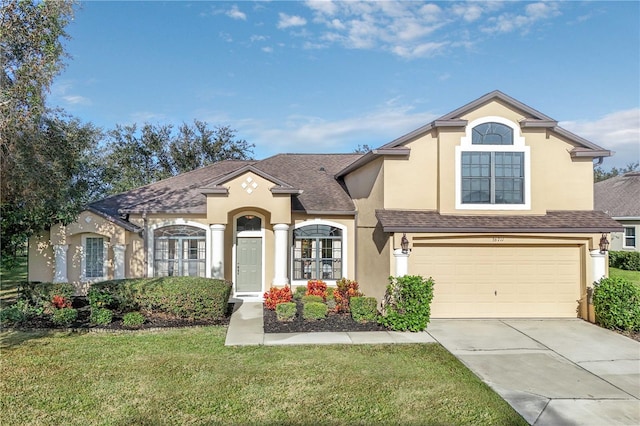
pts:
[179, 250]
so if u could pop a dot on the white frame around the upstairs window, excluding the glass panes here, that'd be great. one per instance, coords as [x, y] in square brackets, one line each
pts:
[466, 145]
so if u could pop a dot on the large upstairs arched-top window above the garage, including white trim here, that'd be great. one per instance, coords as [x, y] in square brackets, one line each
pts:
[492, 167]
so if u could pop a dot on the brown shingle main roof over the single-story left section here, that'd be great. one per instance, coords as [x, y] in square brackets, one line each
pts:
[311, 176]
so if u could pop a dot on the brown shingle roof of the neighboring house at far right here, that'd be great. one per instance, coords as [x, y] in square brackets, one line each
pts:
[619, 196]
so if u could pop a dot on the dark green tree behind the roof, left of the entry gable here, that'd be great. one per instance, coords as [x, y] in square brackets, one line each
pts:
[135, 157]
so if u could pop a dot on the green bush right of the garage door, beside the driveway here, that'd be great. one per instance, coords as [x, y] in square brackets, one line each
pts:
[617, 304]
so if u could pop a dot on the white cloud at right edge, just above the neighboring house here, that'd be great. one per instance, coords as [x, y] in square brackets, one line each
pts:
[618, 131]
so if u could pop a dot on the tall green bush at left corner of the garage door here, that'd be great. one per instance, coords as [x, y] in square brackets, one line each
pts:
[407, 303]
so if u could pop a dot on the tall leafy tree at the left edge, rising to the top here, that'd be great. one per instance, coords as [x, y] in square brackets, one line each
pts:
[38, 170]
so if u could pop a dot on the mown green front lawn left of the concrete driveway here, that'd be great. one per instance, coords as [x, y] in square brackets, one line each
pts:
[188, 376]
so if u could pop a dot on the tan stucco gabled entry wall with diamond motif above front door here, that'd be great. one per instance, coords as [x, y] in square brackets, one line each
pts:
[279, 205]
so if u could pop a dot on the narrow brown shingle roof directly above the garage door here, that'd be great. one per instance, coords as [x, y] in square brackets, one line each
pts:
[575, 221]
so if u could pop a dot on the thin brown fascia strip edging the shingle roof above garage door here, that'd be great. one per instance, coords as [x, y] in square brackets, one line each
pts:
[480, 230]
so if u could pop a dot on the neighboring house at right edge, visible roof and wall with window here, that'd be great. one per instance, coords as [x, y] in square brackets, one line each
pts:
[619, 197]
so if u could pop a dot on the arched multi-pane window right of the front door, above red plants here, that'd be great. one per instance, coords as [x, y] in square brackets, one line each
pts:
[317, 252]
